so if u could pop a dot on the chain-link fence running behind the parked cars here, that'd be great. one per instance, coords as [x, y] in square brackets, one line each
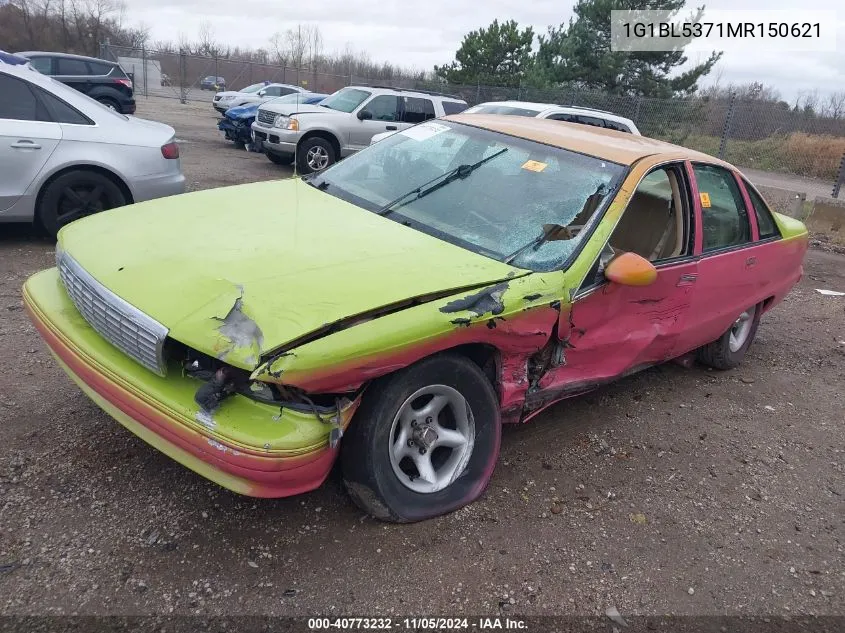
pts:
[752, 134]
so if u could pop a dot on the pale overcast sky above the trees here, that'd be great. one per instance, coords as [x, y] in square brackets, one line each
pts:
[421, 35]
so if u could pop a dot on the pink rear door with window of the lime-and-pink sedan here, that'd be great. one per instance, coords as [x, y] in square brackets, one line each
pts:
[727, 283]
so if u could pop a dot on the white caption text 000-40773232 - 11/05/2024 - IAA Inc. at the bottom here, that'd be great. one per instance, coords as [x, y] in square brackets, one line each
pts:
[417, 624]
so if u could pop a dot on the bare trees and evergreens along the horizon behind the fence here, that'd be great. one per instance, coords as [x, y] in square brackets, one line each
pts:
[574, 56]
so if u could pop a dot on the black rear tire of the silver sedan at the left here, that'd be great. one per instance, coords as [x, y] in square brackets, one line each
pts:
[74, 195]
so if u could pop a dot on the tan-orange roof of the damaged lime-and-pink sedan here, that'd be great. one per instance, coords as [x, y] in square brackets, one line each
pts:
[618, 147]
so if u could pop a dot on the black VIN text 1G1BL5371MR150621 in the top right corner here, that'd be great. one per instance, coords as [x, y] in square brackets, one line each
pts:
[688, 30]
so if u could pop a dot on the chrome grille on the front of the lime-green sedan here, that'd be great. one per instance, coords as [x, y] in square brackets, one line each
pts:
[134, 333]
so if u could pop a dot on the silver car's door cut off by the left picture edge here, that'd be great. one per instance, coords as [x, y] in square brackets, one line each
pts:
[27, 139]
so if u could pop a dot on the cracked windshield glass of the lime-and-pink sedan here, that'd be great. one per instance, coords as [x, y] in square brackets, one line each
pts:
[522, 233]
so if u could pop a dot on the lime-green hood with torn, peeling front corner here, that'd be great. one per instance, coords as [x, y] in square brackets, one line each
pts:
[239, 271]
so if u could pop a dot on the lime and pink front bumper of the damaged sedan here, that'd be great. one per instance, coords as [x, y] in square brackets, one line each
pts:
[246, 446]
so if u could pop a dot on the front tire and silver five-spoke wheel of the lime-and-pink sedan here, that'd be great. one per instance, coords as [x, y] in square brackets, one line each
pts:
[424, 442]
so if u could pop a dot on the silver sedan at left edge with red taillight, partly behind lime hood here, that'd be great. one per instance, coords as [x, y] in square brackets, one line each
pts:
[65, 155]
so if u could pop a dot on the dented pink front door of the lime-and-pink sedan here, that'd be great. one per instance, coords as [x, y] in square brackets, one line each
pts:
[613, 329]
